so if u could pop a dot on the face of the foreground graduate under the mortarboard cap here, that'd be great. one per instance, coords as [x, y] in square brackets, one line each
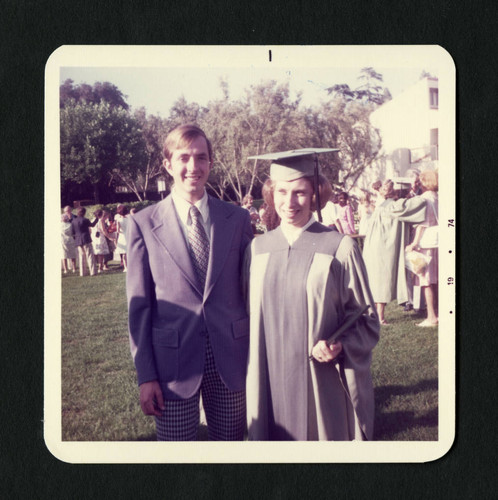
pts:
[293, 201]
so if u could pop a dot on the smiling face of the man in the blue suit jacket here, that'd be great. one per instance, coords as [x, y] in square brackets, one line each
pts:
[189, 166]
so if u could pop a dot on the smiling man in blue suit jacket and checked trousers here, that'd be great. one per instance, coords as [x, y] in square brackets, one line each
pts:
[189, 329]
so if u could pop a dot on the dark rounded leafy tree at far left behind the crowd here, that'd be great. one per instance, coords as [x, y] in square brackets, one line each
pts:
[97, 142]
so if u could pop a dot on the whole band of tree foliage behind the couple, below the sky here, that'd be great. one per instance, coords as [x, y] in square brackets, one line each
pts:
[104, 143]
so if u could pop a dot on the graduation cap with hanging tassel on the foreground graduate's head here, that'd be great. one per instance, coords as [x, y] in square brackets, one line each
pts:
[295, 164]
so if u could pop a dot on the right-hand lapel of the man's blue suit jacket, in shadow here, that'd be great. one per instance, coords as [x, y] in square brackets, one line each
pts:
[222, 229]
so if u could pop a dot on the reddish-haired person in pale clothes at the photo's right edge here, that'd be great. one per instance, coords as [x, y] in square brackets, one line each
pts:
[429, 279]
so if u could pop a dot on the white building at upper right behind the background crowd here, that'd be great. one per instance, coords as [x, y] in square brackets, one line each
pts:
[408, 126]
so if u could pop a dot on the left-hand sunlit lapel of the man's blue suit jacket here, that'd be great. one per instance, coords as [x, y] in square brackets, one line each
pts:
[167, 230]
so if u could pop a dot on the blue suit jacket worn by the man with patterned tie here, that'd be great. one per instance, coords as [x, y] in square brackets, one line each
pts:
[169, 315]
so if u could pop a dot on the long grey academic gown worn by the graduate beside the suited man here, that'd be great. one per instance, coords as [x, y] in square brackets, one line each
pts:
[297, 296]
